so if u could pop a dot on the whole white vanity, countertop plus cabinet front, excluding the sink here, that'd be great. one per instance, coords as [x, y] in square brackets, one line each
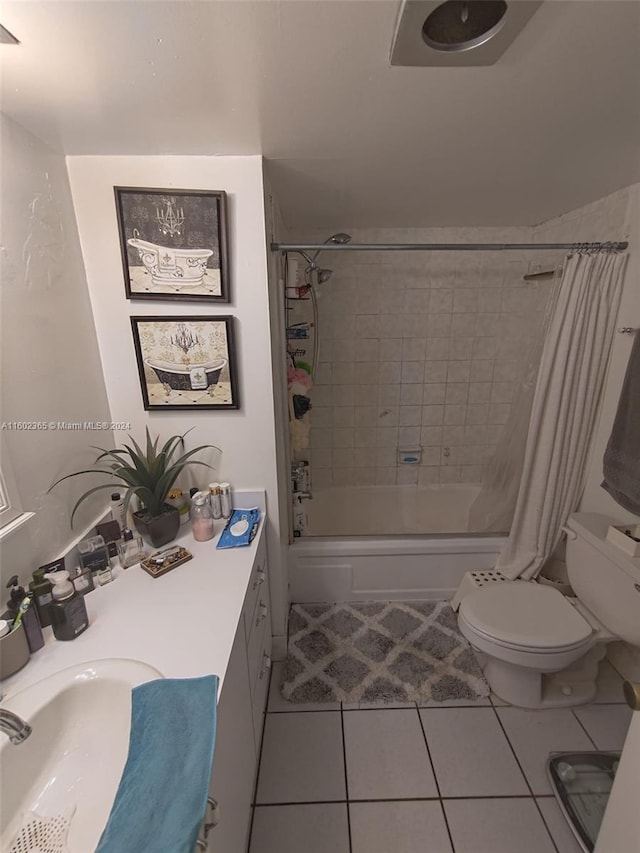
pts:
[227, 631]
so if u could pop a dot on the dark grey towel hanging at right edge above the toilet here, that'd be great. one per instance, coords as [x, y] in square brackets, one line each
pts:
[621, 463]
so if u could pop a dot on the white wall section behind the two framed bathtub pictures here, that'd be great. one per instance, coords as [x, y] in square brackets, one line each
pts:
[246, 436]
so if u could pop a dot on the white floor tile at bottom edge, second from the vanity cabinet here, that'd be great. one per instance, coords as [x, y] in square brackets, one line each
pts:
[401, 827]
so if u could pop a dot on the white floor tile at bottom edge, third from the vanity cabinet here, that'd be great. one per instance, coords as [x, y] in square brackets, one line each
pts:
[497, 826]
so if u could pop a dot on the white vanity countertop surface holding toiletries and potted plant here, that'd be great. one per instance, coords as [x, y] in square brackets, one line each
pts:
[183, 623]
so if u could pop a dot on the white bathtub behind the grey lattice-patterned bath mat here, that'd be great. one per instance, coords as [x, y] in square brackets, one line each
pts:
[388, 553]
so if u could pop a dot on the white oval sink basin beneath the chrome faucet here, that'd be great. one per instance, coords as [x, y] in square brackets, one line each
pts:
[81, 719]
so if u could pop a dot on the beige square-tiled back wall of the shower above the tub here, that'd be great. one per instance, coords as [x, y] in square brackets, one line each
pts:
[419, 350]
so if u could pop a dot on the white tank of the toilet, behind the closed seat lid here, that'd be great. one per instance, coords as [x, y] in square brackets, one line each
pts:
[604, 577]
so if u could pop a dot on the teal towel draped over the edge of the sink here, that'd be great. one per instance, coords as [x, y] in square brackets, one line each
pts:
[162, 797]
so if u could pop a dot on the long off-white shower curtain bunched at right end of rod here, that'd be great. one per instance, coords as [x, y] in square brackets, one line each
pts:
[565, 405]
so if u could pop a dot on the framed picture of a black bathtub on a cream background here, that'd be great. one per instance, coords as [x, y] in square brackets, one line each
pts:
[186, 362]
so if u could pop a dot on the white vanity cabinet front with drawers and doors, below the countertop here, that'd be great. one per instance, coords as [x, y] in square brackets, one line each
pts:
[240, 718]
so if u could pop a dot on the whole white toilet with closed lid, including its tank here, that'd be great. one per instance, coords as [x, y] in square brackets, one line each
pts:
[541, 649]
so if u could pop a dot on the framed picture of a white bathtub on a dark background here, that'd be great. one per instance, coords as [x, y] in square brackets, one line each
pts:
[173, 243]
